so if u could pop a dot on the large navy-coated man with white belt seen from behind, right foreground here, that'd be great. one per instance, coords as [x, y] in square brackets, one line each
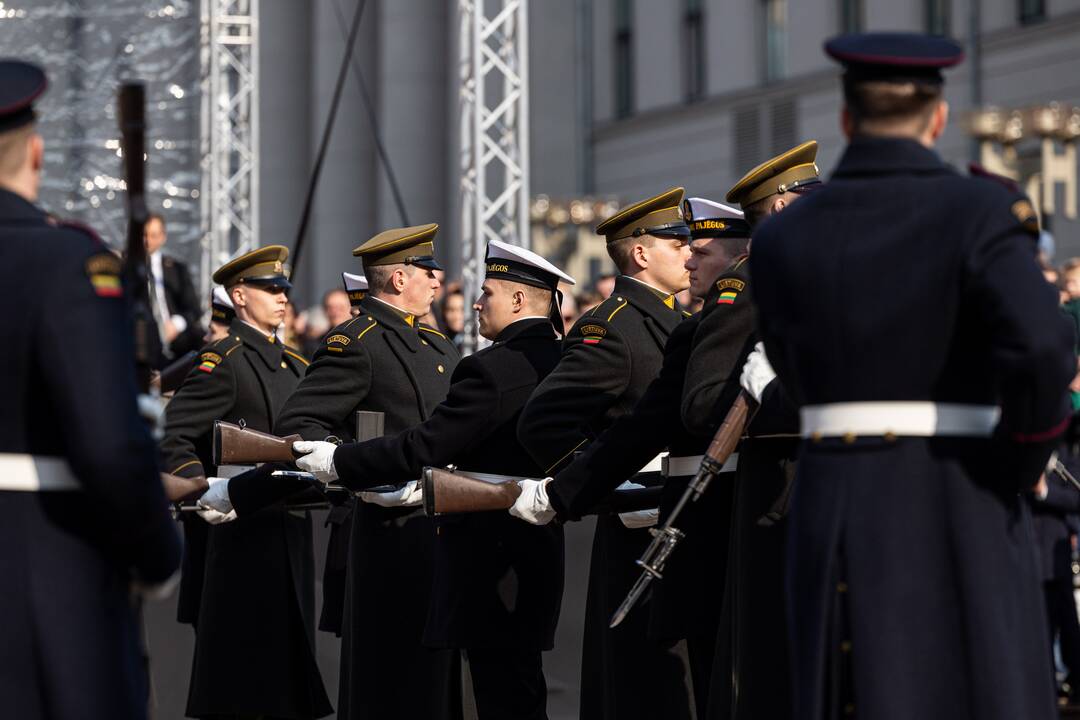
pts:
[903, 310]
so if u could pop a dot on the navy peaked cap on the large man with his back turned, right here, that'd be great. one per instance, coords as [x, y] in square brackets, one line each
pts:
[895, 57]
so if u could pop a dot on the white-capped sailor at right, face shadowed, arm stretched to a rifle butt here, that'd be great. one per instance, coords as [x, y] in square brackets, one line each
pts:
[684, 606]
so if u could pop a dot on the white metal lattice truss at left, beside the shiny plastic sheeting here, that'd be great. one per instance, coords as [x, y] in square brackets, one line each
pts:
[231, 131]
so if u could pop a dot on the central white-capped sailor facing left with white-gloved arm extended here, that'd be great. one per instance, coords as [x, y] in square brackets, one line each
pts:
[498, 582]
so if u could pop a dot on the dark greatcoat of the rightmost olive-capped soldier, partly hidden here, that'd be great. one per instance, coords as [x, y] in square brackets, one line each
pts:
[750, 671]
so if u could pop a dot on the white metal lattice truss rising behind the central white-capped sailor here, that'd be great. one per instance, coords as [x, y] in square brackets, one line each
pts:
[494, 124]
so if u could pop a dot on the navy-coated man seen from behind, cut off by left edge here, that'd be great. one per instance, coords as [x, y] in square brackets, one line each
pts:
[83, 512]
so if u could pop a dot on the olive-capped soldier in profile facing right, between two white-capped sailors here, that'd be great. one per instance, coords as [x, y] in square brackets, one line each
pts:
[610, 358]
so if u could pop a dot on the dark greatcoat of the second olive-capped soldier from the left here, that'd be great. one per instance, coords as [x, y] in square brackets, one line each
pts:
[380, 362]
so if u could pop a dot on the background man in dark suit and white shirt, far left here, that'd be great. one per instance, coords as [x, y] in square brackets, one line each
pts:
[177, 306]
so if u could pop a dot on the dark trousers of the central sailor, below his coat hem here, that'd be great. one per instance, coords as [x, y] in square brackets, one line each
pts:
[508, 684]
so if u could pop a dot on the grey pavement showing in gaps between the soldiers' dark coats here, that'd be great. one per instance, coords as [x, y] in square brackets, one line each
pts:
[172, 644]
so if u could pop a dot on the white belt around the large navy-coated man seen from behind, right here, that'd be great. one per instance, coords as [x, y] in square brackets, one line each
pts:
[899, 419]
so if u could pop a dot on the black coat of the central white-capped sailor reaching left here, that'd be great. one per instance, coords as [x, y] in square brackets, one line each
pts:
[498, 582]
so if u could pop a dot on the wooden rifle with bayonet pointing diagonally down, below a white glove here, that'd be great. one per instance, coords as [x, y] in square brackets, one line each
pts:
[667, 537]
